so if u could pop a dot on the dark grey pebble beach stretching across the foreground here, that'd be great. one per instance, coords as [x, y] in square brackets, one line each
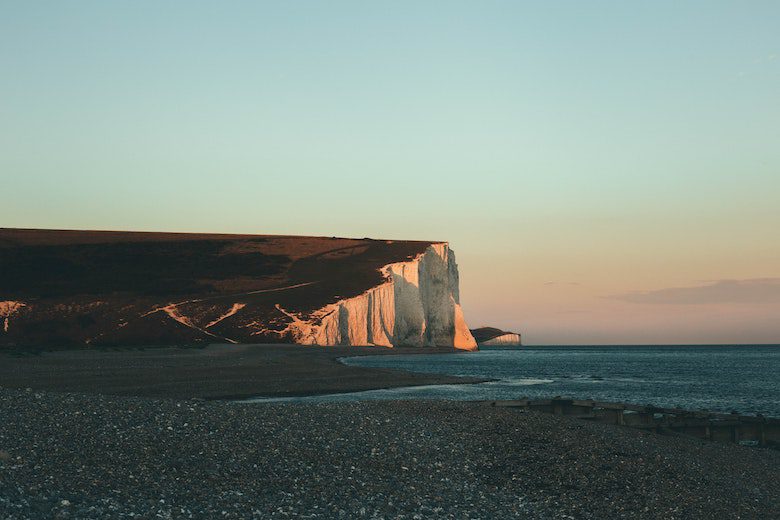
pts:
[73, 455]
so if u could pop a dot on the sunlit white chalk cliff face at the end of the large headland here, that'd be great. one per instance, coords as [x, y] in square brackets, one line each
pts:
[417, 305]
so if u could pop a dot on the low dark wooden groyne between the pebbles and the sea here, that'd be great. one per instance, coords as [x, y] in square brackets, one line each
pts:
[747, 430]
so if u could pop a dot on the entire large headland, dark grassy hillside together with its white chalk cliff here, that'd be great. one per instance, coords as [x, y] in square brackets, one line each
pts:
[65, 287]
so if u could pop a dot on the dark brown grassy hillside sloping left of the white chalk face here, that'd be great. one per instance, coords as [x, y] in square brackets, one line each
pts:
[62, 288]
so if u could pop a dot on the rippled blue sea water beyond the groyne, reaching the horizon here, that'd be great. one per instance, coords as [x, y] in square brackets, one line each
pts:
[717, 378]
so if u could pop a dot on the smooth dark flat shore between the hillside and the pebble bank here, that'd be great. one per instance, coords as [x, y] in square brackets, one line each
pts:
[213, 372]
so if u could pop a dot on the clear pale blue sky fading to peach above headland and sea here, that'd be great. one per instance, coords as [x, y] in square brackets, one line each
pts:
[606, 172]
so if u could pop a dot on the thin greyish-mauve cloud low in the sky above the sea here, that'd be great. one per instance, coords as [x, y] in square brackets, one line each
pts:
[756, 291]
